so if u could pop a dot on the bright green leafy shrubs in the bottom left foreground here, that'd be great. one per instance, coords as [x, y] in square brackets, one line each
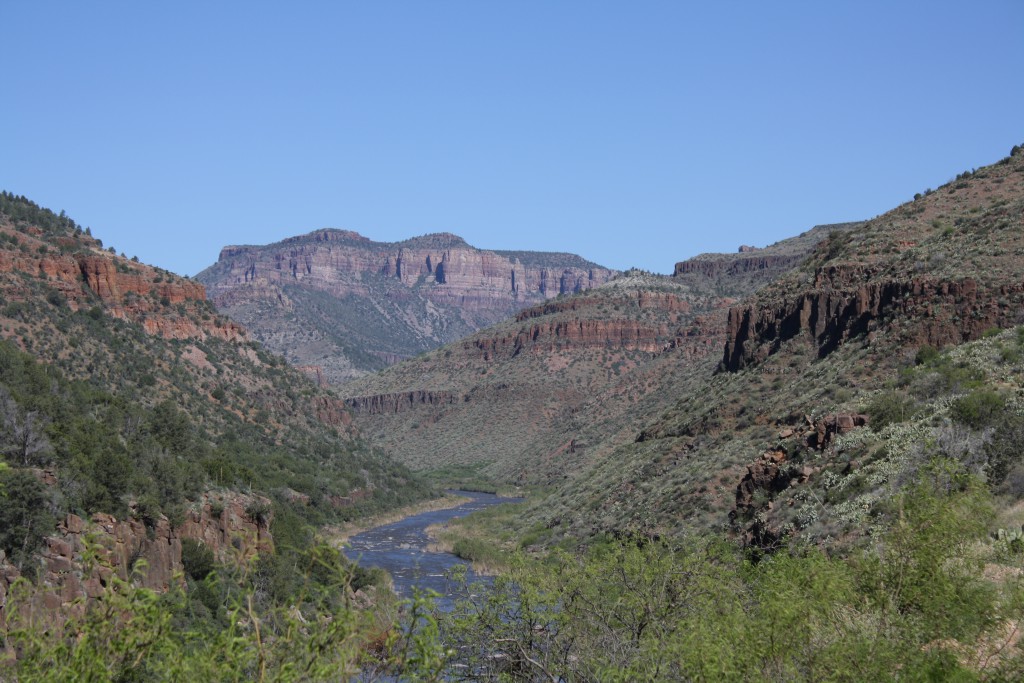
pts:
[136, 634]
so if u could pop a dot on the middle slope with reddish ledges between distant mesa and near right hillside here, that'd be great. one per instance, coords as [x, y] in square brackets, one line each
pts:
[538, 398]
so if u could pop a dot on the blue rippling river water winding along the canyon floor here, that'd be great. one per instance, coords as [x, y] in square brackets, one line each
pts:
[401, 548]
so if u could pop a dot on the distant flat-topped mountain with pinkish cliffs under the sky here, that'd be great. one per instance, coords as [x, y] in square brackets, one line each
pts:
[340, 306]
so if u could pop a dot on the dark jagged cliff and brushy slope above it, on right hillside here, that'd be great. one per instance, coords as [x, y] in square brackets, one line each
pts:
[942, 270]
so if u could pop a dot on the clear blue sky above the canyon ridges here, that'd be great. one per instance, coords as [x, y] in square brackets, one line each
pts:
[634, 134]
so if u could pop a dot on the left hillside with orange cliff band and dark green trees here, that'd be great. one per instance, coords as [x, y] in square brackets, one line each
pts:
[131, 408]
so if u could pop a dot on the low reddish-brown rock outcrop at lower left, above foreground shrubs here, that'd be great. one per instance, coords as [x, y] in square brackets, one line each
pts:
[68, 581]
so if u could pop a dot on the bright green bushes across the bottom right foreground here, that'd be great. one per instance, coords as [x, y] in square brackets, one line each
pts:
[634, 609]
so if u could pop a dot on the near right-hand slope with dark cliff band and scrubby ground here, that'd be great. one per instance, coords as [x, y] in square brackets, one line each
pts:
[830, 394]
